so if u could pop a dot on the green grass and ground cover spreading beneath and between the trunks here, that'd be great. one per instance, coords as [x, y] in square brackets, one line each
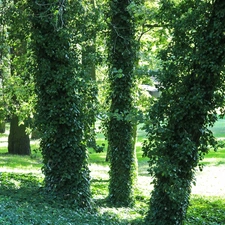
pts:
[22, 200]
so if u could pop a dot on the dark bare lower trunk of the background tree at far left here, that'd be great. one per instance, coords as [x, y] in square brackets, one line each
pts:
[18, 139]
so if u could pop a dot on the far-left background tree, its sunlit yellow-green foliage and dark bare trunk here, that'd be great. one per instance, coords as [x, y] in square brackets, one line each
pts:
[17, 79]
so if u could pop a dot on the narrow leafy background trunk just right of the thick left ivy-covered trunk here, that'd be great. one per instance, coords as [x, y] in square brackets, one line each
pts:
[89, 26]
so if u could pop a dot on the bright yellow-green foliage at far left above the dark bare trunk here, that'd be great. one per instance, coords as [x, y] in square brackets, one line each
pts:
[16, 64]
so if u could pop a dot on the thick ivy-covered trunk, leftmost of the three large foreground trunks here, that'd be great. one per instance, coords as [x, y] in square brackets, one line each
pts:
[60, 118]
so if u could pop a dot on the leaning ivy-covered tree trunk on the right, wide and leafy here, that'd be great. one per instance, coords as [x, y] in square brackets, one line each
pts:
[192, 84]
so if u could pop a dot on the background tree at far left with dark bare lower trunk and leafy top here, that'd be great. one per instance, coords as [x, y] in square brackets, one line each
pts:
[17, 84]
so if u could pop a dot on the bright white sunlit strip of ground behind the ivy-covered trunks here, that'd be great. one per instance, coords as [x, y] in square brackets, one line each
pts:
[209, 182]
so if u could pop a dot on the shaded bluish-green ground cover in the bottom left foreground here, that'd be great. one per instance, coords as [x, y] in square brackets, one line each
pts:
[23, 201]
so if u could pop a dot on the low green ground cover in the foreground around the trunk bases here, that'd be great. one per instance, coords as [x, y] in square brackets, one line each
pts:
[23, 201]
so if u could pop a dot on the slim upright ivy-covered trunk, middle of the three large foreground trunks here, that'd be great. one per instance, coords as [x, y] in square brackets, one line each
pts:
[120, 126]
